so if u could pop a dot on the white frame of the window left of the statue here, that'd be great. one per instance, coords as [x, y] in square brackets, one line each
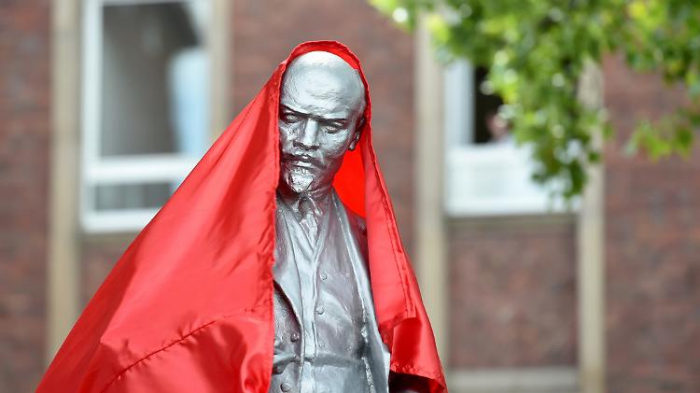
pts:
[97, 170]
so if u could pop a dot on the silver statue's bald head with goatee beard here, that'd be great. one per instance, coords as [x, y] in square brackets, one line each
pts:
[321, 106]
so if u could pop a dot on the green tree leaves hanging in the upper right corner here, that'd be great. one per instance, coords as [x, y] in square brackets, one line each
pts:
[536, 50]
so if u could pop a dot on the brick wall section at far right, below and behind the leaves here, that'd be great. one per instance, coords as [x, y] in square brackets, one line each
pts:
[652, 249]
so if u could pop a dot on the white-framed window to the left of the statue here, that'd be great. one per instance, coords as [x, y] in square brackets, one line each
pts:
[146, 119]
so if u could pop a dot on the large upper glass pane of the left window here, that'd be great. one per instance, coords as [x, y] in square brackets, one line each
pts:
[154, 80]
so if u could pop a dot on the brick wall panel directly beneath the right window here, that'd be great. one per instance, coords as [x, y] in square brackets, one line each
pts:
[512, 292]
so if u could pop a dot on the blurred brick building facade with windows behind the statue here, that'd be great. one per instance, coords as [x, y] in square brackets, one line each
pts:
[93, 138]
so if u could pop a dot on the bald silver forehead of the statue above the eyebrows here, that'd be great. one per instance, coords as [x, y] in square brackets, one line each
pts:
[323, 88]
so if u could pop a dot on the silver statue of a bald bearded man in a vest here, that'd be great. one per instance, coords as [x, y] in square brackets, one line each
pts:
[326, 335]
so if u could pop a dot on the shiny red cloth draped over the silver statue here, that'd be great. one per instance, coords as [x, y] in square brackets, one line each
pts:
[188, 307]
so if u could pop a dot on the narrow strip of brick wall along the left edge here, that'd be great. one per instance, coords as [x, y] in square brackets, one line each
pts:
[24, 156]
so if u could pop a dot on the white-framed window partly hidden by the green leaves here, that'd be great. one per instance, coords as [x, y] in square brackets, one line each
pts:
[486, 172]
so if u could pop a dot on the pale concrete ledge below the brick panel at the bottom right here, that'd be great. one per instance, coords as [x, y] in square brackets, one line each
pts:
[520, 380]
